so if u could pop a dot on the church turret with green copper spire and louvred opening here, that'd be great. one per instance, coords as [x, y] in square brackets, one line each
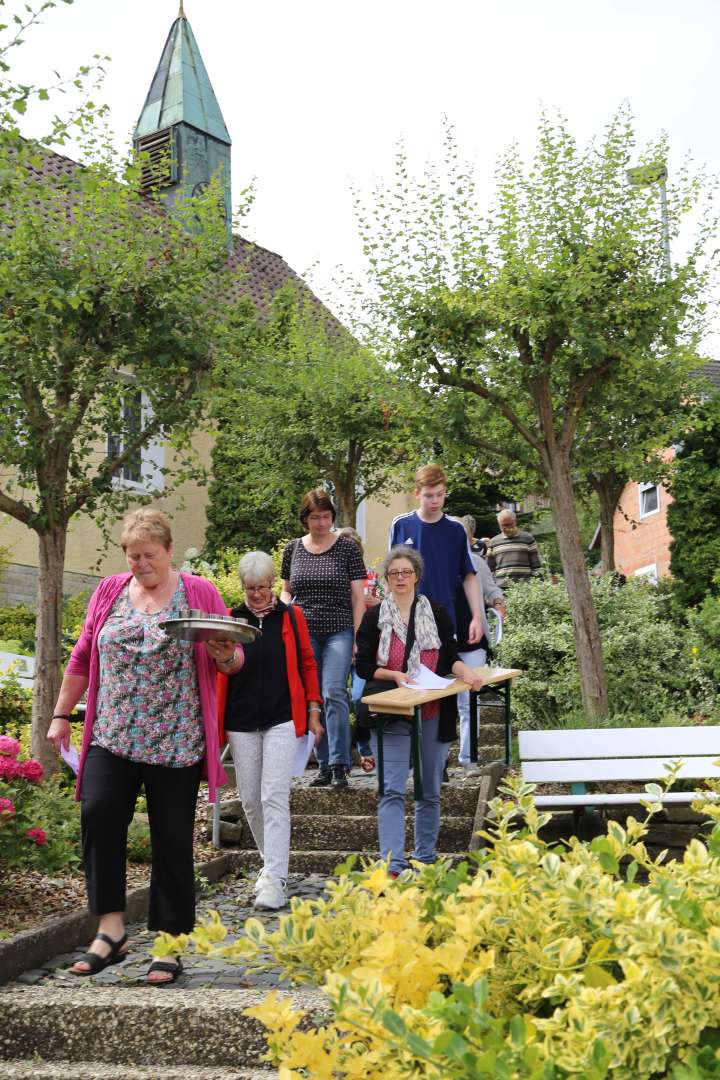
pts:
[181, 127]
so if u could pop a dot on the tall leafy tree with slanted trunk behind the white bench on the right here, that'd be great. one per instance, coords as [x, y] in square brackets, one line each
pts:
[539, 307]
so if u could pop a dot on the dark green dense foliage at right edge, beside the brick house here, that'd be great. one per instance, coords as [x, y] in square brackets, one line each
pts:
[695, 514]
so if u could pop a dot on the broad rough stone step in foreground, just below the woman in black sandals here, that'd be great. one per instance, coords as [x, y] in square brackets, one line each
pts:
[139, 1028]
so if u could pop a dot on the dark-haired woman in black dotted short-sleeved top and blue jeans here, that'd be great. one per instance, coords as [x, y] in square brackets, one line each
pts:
[324, 574]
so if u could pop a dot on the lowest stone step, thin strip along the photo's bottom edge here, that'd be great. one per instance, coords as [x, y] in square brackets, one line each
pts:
[104, 1071]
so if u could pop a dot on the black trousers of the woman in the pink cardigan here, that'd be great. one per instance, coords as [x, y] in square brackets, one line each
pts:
[111, 787]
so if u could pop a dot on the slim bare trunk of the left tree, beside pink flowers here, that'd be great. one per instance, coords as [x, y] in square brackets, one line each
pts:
[48, 641]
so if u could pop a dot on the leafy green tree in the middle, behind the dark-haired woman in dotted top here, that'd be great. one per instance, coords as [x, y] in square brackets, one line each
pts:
[302, 406]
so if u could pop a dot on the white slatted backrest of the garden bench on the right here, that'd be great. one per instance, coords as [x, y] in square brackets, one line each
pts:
[570, 757]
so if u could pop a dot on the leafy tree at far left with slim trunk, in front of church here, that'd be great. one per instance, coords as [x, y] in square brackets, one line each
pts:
[110, 323]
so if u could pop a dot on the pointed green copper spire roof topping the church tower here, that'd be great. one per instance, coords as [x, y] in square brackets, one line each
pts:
[181, 90]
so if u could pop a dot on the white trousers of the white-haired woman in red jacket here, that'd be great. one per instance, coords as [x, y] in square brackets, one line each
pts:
[264, 768]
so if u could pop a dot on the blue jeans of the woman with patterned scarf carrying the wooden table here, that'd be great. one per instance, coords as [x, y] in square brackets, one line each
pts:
[391, 807]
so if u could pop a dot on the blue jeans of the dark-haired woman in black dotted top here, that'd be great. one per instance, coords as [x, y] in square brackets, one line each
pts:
[334, 655]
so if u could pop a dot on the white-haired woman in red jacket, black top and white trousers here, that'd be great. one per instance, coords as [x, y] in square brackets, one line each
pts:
[264, 709]
